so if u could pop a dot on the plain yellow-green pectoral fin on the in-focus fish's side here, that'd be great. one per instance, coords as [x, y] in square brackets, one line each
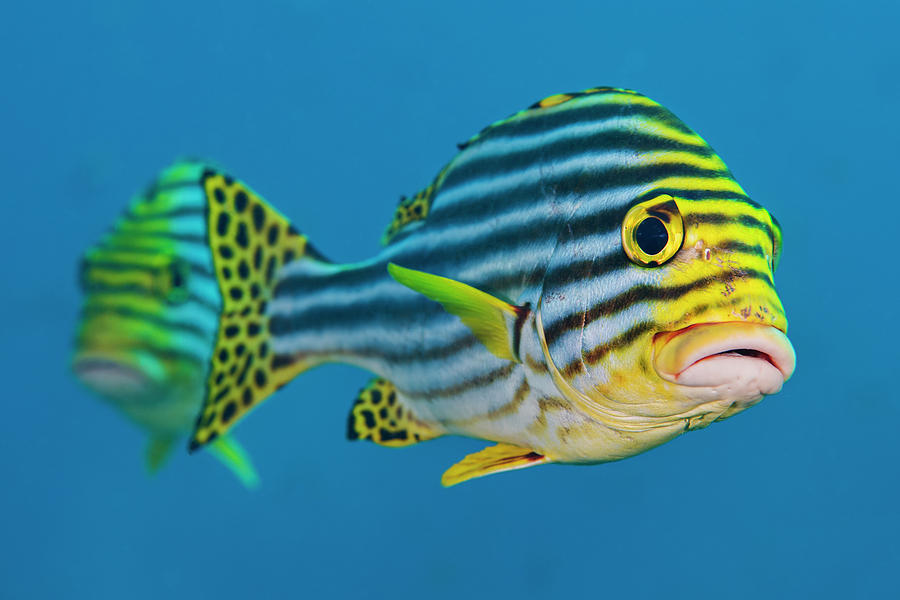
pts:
[494, 322]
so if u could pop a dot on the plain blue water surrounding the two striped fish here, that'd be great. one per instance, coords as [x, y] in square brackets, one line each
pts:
[331, 111]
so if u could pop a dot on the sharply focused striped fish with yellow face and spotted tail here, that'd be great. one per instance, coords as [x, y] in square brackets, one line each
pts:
[584, 281]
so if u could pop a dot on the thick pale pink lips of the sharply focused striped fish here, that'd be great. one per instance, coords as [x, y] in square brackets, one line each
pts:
[748, 358]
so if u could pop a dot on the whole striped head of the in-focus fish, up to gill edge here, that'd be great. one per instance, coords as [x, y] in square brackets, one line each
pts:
[659, 307]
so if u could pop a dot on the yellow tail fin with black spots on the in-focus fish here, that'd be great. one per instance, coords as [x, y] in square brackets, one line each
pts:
[250, 241]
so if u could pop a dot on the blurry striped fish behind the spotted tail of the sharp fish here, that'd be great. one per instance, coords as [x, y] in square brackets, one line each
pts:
[149, 320]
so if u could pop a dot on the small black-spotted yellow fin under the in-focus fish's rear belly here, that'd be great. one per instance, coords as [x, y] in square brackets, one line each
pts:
[379, 416]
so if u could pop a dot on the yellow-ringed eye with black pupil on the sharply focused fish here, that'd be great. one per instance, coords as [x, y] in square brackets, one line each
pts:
[653, 231]
